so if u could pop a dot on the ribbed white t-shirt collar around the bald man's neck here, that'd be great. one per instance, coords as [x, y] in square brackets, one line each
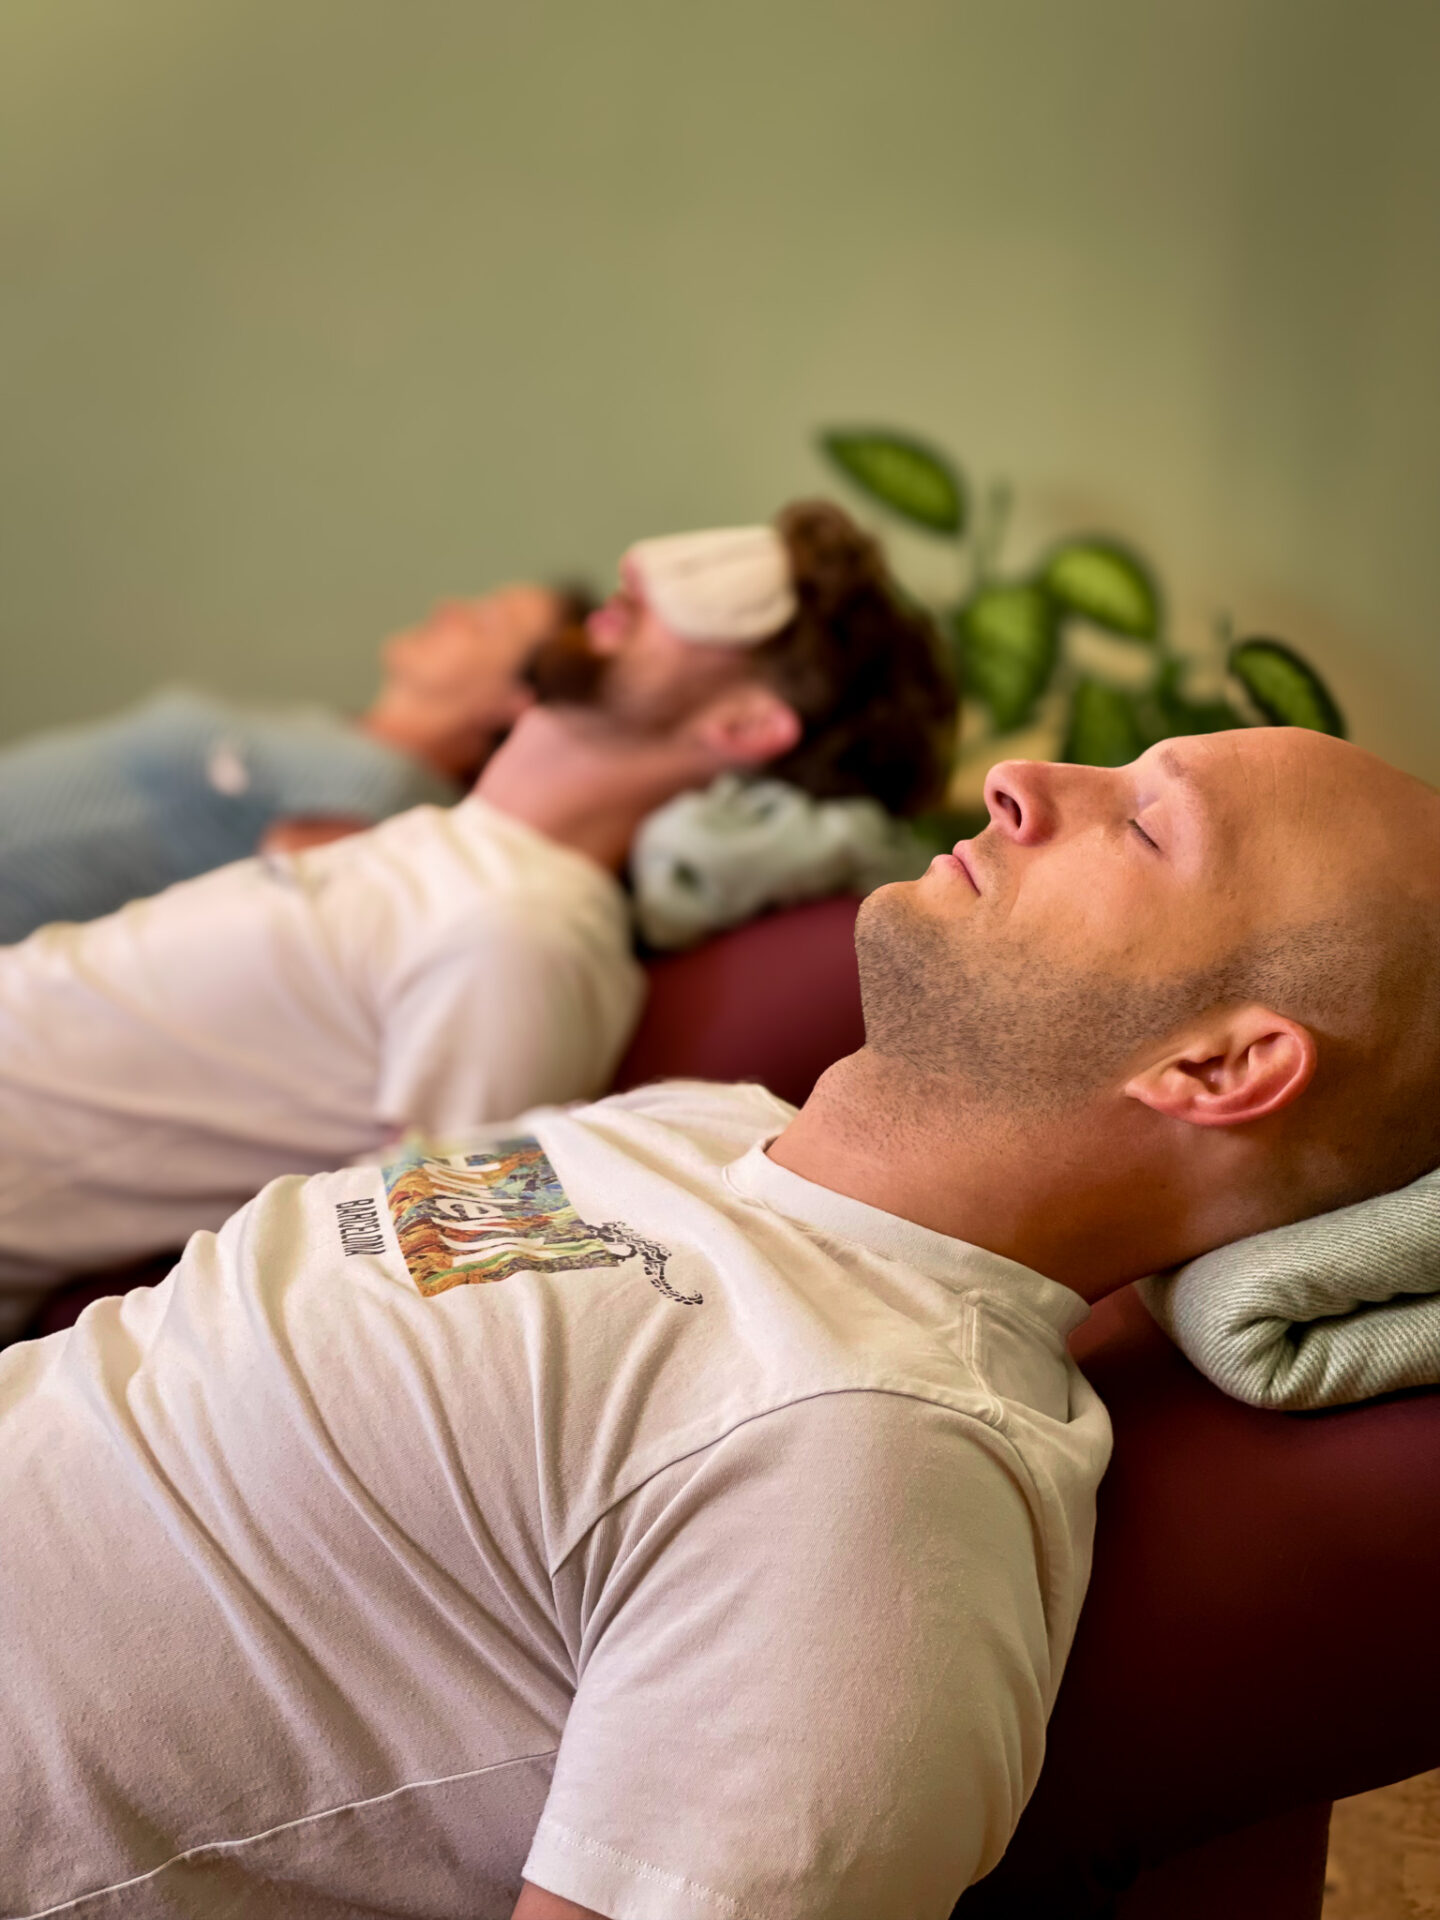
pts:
[957, 1264]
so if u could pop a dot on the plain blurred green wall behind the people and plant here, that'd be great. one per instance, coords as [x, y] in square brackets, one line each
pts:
[318, 310]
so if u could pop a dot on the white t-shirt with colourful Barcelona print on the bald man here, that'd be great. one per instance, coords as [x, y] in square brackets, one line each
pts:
[713, 1558]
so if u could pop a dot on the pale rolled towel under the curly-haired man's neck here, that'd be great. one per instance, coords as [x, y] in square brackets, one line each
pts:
[719, 857]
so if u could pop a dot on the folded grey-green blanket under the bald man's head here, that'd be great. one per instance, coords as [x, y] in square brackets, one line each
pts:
[1330, 1310]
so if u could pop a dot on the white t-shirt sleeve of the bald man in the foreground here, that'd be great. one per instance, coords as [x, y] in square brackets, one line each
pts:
[813, 1675]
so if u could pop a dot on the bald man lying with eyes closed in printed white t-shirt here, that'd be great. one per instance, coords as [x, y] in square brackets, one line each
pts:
[681, 1508]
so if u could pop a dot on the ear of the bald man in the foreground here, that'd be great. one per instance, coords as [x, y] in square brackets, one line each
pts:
[1236, 1067]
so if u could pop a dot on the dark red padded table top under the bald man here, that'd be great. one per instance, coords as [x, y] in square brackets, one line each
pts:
[1260, 1623]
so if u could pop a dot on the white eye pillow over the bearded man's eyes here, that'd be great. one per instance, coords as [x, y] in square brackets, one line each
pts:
[725, 588]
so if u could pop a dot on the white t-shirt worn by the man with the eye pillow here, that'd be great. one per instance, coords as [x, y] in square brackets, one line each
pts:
[285, 1015]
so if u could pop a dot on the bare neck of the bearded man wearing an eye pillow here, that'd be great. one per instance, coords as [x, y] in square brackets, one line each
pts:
[587, 784]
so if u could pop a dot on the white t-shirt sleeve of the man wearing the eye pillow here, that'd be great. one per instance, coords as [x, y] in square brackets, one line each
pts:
[531, 1011]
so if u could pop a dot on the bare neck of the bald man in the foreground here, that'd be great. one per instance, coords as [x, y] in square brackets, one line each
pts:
[1093, 1199]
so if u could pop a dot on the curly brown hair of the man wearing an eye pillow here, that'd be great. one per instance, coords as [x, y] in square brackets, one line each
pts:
[863, 671]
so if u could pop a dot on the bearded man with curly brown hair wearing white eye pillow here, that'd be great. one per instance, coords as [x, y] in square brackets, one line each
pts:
[454, 965]
